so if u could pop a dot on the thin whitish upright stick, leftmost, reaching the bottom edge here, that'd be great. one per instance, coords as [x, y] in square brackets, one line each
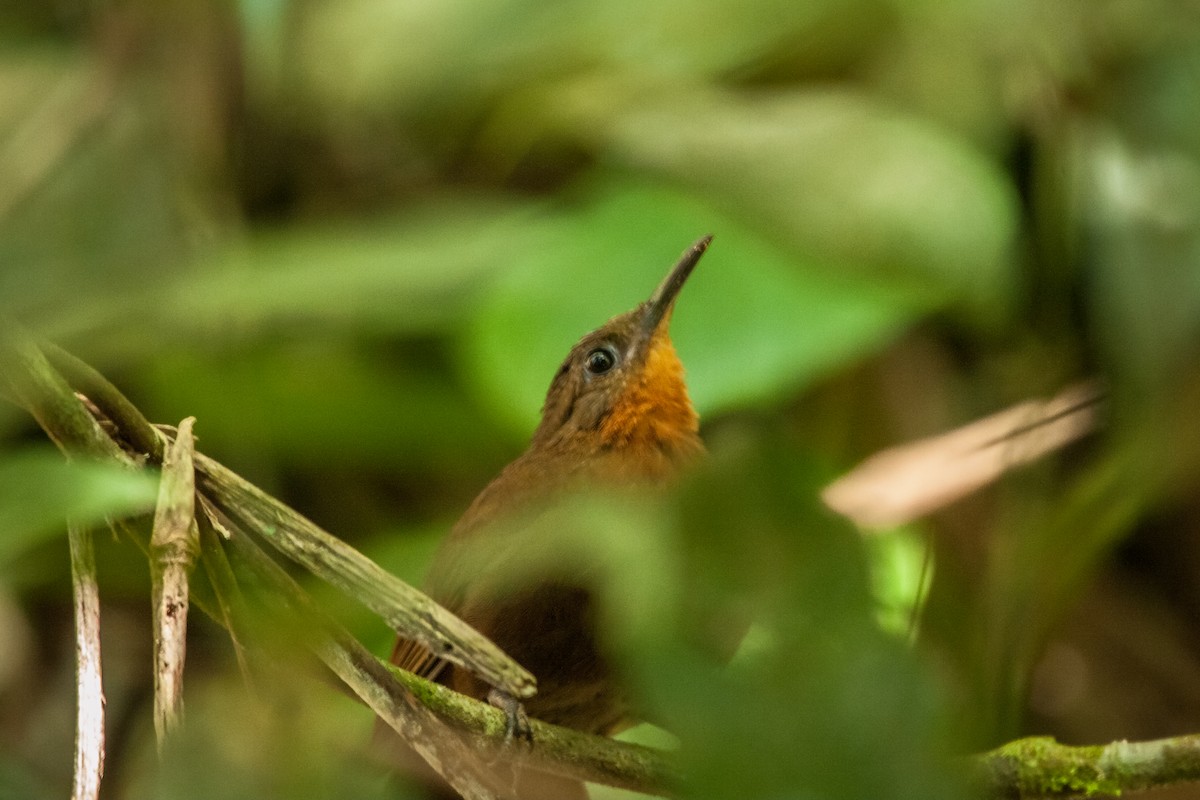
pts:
[89, 766]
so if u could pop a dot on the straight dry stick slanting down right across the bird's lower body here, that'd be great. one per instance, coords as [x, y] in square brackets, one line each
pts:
[405, 609]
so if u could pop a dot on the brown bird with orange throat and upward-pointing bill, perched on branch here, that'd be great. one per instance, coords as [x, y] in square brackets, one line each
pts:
[617, 414]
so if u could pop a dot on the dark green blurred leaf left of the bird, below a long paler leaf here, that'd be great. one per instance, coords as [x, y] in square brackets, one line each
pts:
[323, 404]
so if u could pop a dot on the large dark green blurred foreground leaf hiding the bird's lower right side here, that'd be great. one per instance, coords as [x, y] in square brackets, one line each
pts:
[817, 709]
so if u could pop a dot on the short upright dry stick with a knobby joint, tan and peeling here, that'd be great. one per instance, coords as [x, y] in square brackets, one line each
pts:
[175, 546]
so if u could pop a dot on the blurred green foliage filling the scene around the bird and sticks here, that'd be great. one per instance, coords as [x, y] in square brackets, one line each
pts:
[356, 239]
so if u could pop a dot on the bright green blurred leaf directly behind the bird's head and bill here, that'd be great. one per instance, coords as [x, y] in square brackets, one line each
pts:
[755, 321]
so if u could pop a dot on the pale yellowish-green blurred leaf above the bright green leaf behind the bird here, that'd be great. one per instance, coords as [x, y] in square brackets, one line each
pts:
[839, 177]
